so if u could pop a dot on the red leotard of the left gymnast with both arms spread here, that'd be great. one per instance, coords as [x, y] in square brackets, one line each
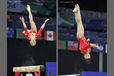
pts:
[33, 31]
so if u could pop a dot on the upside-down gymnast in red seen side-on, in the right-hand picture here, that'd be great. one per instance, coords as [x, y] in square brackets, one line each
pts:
[85, 46]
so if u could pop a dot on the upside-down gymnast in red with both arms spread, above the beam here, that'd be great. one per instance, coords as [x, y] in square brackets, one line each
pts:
[32, 34]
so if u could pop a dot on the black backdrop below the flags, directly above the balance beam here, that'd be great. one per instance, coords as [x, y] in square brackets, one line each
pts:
[20, 53]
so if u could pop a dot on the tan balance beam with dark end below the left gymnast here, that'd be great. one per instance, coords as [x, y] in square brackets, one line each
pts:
[38, 68]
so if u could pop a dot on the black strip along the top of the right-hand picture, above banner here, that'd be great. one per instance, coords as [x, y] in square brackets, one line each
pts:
[92, 5]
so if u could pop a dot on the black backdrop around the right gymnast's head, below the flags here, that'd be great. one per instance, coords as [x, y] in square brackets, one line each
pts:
[72, 62]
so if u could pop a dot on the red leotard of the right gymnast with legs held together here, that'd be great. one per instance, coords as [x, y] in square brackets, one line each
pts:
[84, 45]
